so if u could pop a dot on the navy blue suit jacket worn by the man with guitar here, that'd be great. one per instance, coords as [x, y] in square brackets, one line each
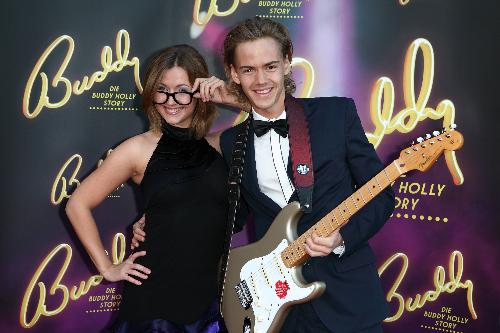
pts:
[342, 159]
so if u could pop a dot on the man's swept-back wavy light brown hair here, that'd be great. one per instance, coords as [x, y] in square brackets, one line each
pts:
[250, 30]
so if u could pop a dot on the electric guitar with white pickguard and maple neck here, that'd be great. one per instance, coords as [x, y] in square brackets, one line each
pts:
[264, 279]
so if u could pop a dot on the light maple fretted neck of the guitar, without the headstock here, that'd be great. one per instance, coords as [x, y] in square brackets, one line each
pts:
[295, 254]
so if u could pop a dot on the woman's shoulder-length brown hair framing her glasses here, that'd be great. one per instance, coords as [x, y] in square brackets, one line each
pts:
[189, 59]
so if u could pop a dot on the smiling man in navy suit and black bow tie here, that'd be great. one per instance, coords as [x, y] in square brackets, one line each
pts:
[257, 57]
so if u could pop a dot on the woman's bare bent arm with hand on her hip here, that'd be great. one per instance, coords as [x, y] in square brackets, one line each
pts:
[116, 169]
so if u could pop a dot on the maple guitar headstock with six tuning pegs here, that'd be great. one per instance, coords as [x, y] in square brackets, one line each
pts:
[421, 156]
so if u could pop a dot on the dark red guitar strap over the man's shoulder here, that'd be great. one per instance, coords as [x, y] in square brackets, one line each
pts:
[300, 150]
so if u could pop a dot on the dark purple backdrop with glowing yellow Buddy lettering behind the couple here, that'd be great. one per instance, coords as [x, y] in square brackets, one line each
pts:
[436, 254]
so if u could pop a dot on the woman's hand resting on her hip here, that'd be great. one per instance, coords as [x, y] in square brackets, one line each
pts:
[127, 270]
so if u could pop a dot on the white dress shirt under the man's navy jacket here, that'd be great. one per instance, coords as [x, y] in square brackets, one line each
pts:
[271, 160]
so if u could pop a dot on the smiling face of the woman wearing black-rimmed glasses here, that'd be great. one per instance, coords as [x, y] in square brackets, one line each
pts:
[174, 80]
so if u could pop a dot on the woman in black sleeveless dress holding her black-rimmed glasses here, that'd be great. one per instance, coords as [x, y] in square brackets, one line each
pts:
[171, 281]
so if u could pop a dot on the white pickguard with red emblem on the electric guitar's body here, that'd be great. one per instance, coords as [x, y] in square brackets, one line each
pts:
[267, 278]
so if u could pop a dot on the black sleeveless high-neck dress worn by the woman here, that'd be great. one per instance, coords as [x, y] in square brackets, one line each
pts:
[185, 195]
